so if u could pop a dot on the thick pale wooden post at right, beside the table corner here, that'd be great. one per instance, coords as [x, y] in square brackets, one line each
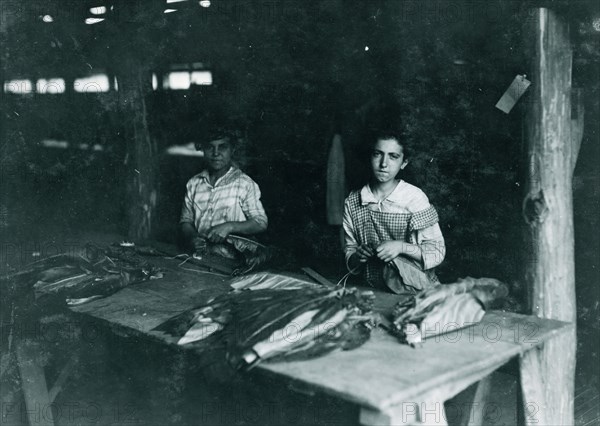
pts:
[548, 374]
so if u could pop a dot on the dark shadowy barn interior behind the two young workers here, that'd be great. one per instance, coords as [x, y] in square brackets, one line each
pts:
[292, 74]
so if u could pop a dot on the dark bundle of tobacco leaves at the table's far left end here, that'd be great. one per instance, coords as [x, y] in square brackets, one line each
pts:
[97, 273]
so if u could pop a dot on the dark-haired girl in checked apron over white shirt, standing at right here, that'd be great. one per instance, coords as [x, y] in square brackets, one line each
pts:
[391, 231]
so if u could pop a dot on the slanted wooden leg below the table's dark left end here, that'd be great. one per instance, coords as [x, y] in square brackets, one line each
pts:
[33, 383]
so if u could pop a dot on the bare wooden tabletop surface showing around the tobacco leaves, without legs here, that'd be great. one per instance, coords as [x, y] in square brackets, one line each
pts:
[390, 372]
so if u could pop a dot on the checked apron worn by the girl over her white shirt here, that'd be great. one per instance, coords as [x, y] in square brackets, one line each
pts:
[401, 275]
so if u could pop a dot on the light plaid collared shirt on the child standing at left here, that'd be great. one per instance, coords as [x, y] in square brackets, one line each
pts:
[235, 197]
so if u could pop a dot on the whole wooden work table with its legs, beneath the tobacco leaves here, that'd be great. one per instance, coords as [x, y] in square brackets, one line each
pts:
[390, 382]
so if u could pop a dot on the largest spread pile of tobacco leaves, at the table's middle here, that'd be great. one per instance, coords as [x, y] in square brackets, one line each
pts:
[279, 324]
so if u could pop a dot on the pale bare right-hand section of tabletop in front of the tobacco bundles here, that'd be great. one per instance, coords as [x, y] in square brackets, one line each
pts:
[391, 373]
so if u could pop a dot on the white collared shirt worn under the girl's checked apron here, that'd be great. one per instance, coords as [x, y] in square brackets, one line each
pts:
[405, 198]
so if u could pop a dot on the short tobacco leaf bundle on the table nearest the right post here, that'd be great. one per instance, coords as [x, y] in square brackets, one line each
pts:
[445, 308]
